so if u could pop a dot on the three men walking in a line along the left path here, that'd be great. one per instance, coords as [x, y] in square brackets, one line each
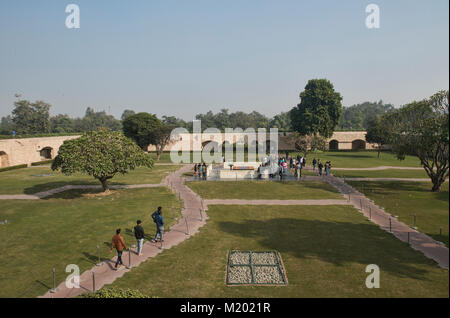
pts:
[118, 241]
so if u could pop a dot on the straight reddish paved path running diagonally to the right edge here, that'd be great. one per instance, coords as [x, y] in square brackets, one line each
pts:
[419, 241]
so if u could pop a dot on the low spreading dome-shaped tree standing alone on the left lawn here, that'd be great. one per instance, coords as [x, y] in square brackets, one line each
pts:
[101, 154]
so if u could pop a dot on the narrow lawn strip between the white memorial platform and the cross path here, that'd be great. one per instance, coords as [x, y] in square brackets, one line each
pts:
[264, 190]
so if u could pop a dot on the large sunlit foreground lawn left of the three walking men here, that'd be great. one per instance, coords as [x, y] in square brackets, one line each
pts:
[66, 229]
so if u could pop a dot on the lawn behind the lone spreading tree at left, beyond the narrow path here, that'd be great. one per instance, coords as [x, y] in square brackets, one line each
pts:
[37, 179]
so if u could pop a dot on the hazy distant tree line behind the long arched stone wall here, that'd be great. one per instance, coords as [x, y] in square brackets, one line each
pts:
[29, 118]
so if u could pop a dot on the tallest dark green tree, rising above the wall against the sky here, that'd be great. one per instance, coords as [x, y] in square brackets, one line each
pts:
[319, 109]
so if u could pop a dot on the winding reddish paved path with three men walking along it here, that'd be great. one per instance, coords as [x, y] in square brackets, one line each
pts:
[190, 223]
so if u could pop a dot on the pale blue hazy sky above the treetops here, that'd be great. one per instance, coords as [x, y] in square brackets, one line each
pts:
[189, 56]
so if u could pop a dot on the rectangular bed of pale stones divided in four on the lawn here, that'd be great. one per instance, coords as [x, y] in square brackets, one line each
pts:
[255, 268]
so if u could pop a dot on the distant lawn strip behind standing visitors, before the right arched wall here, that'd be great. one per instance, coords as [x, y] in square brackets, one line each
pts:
[360, 159]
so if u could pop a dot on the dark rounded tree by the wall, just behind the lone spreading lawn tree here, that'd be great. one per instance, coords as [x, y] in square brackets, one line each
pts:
[142, 128]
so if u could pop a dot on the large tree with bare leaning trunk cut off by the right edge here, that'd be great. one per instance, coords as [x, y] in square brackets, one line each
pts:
[422, 129]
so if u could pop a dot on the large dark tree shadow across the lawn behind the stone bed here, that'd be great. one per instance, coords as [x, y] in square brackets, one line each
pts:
[338, 243]
